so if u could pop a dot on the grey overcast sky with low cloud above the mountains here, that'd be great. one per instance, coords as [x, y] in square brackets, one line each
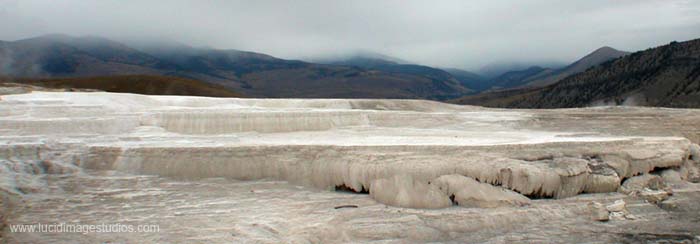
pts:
[461, 33]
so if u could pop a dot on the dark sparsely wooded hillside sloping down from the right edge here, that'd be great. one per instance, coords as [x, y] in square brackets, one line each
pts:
[665, 76]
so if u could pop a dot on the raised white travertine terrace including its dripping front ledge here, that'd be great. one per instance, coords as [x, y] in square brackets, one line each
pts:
[406, 153]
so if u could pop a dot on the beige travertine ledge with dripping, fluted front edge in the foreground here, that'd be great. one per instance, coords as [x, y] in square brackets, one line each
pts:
[464, 175]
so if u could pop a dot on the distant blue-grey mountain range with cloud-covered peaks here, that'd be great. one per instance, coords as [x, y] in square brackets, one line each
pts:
[364, 75]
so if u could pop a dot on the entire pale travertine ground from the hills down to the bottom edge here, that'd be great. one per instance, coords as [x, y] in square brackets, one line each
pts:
[333, 170]
